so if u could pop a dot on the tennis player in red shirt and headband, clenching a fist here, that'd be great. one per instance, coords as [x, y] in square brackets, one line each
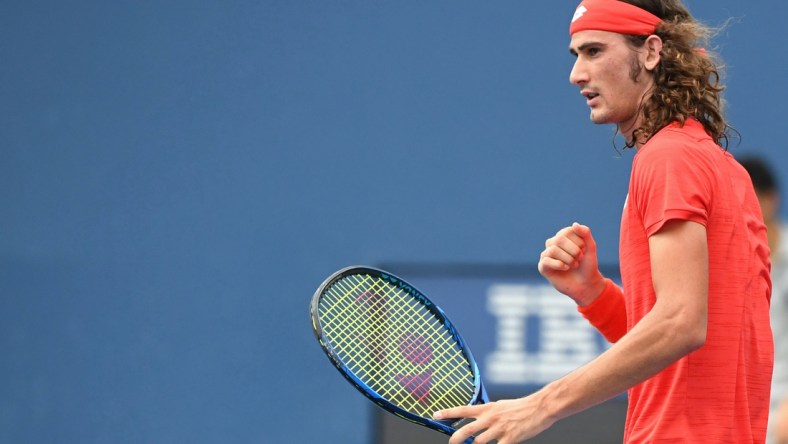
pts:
[690, 327]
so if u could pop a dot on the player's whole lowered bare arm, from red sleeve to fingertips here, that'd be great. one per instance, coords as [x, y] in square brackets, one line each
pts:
[674, 327]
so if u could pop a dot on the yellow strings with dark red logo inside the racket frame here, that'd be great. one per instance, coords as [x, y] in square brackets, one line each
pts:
[395, 345]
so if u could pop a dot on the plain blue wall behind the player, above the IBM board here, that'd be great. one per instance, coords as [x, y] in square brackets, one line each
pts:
[176, 178]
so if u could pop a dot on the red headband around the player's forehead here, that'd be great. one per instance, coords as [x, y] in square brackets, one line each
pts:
[613, 16]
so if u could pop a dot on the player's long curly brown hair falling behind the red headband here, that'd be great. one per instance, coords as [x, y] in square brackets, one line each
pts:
[687, 79]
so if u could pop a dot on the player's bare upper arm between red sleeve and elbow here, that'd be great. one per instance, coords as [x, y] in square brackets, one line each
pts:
[679, 270]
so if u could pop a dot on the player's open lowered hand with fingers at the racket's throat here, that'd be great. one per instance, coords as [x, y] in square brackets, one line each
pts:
[508, 421]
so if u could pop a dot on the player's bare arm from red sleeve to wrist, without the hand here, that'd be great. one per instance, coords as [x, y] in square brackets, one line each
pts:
[675, 326]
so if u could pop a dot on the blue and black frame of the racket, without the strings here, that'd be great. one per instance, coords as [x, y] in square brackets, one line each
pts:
[444, 426]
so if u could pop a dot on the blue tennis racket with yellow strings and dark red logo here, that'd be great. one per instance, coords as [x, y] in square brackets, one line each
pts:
[395, 346]
